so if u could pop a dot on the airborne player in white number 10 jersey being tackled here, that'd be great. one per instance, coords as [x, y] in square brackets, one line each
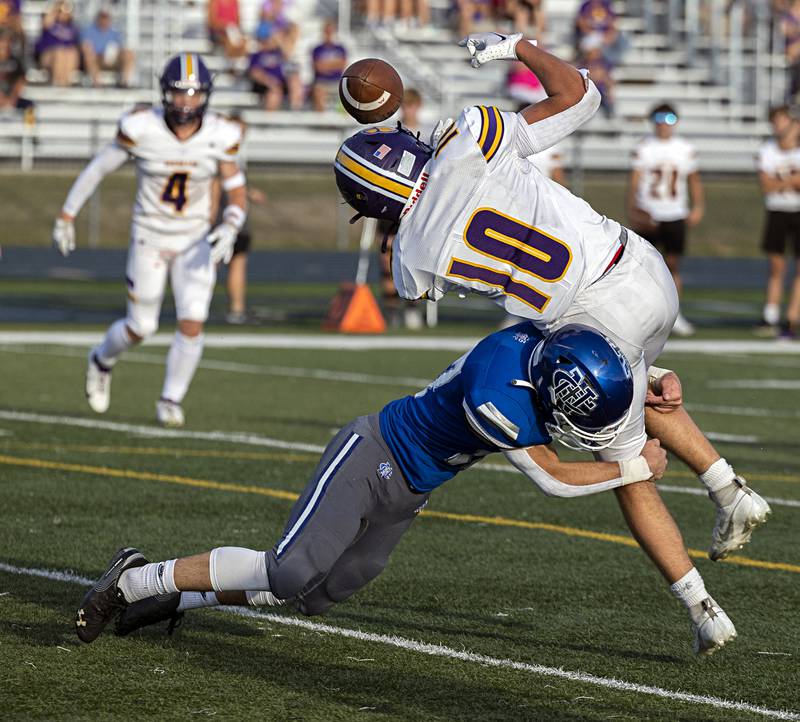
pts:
[474, 214]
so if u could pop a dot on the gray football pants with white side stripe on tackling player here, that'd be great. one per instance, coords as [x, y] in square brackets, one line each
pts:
[346, 522]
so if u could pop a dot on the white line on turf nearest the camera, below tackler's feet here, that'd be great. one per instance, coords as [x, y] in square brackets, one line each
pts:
[438, 650]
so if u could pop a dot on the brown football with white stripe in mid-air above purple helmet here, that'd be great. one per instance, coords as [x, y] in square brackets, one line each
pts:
[371, 90]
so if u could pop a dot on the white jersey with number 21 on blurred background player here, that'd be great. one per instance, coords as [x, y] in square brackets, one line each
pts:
[664, 166]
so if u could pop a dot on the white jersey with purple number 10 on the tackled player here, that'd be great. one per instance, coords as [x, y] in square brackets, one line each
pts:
[483, 218]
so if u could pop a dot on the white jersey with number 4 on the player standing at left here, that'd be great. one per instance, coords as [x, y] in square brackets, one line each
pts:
[173, 195]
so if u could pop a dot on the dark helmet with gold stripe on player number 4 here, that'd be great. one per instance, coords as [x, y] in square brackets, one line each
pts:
[185, 75]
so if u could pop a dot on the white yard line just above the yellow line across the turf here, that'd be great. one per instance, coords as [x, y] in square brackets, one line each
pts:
[256, 440]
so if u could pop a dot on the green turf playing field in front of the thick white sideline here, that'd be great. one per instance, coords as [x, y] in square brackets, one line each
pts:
[492, 568]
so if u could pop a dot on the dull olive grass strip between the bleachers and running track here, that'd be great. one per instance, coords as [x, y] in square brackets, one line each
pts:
[731, 228]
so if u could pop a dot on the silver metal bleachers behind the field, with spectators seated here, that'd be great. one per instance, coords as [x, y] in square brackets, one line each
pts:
[663, 63]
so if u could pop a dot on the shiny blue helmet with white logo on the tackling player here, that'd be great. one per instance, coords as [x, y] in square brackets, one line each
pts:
[584, 384]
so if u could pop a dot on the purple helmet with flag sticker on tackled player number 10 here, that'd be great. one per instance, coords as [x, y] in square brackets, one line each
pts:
[377, 168]
